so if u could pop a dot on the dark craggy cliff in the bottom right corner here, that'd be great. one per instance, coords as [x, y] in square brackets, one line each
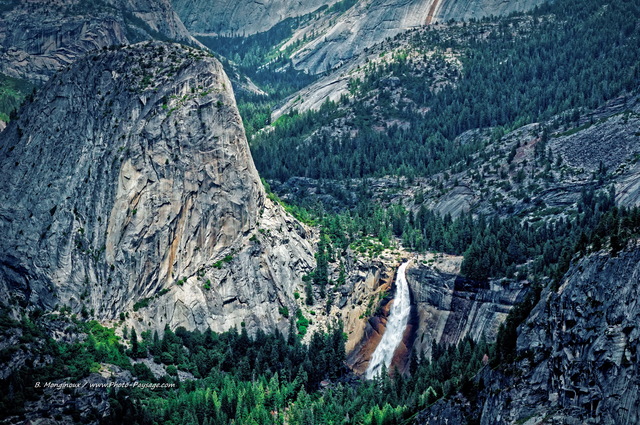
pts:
[581, 351]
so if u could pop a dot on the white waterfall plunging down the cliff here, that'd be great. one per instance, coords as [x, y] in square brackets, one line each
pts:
[397, 323]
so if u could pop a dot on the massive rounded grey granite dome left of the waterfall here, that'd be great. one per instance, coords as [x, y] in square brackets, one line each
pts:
[129, 188]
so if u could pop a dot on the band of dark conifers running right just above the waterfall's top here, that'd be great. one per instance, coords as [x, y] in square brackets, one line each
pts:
[492, 247]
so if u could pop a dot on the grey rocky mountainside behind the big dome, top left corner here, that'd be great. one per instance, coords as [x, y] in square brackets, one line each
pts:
[41, 36]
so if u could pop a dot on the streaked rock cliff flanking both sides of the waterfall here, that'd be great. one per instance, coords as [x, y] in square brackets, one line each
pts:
[446, 308]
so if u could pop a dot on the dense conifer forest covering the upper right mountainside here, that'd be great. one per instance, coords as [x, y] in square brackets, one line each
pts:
[567, 55]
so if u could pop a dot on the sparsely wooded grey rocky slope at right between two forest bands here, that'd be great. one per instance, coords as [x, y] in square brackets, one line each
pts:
[600, 148]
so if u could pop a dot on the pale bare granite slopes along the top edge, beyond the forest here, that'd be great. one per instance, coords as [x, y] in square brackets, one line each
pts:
[338, 34]
